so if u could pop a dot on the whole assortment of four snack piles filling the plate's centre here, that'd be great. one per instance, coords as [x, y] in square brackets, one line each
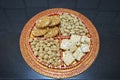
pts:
[59, 40]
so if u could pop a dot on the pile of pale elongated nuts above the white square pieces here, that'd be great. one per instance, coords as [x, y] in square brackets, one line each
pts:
[70, 24]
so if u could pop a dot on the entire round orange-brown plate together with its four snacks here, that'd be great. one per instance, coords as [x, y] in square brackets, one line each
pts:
[66, 61]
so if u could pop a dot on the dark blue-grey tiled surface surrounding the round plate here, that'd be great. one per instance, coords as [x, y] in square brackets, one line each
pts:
[105, 15]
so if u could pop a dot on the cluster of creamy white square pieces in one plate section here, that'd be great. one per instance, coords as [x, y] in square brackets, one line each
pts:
[75, 48]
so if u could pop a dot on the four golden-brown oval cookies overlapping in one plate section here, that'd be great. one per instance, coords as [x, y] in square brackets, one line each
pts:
[46, 26]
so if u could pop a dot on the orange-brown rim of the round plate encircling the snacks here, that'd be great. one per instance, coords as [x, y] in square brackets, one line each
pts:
[33, 62]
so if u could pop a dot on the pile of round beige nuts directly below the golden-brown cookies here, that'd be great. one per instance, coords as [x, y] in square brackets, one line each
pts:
[47, 50]
